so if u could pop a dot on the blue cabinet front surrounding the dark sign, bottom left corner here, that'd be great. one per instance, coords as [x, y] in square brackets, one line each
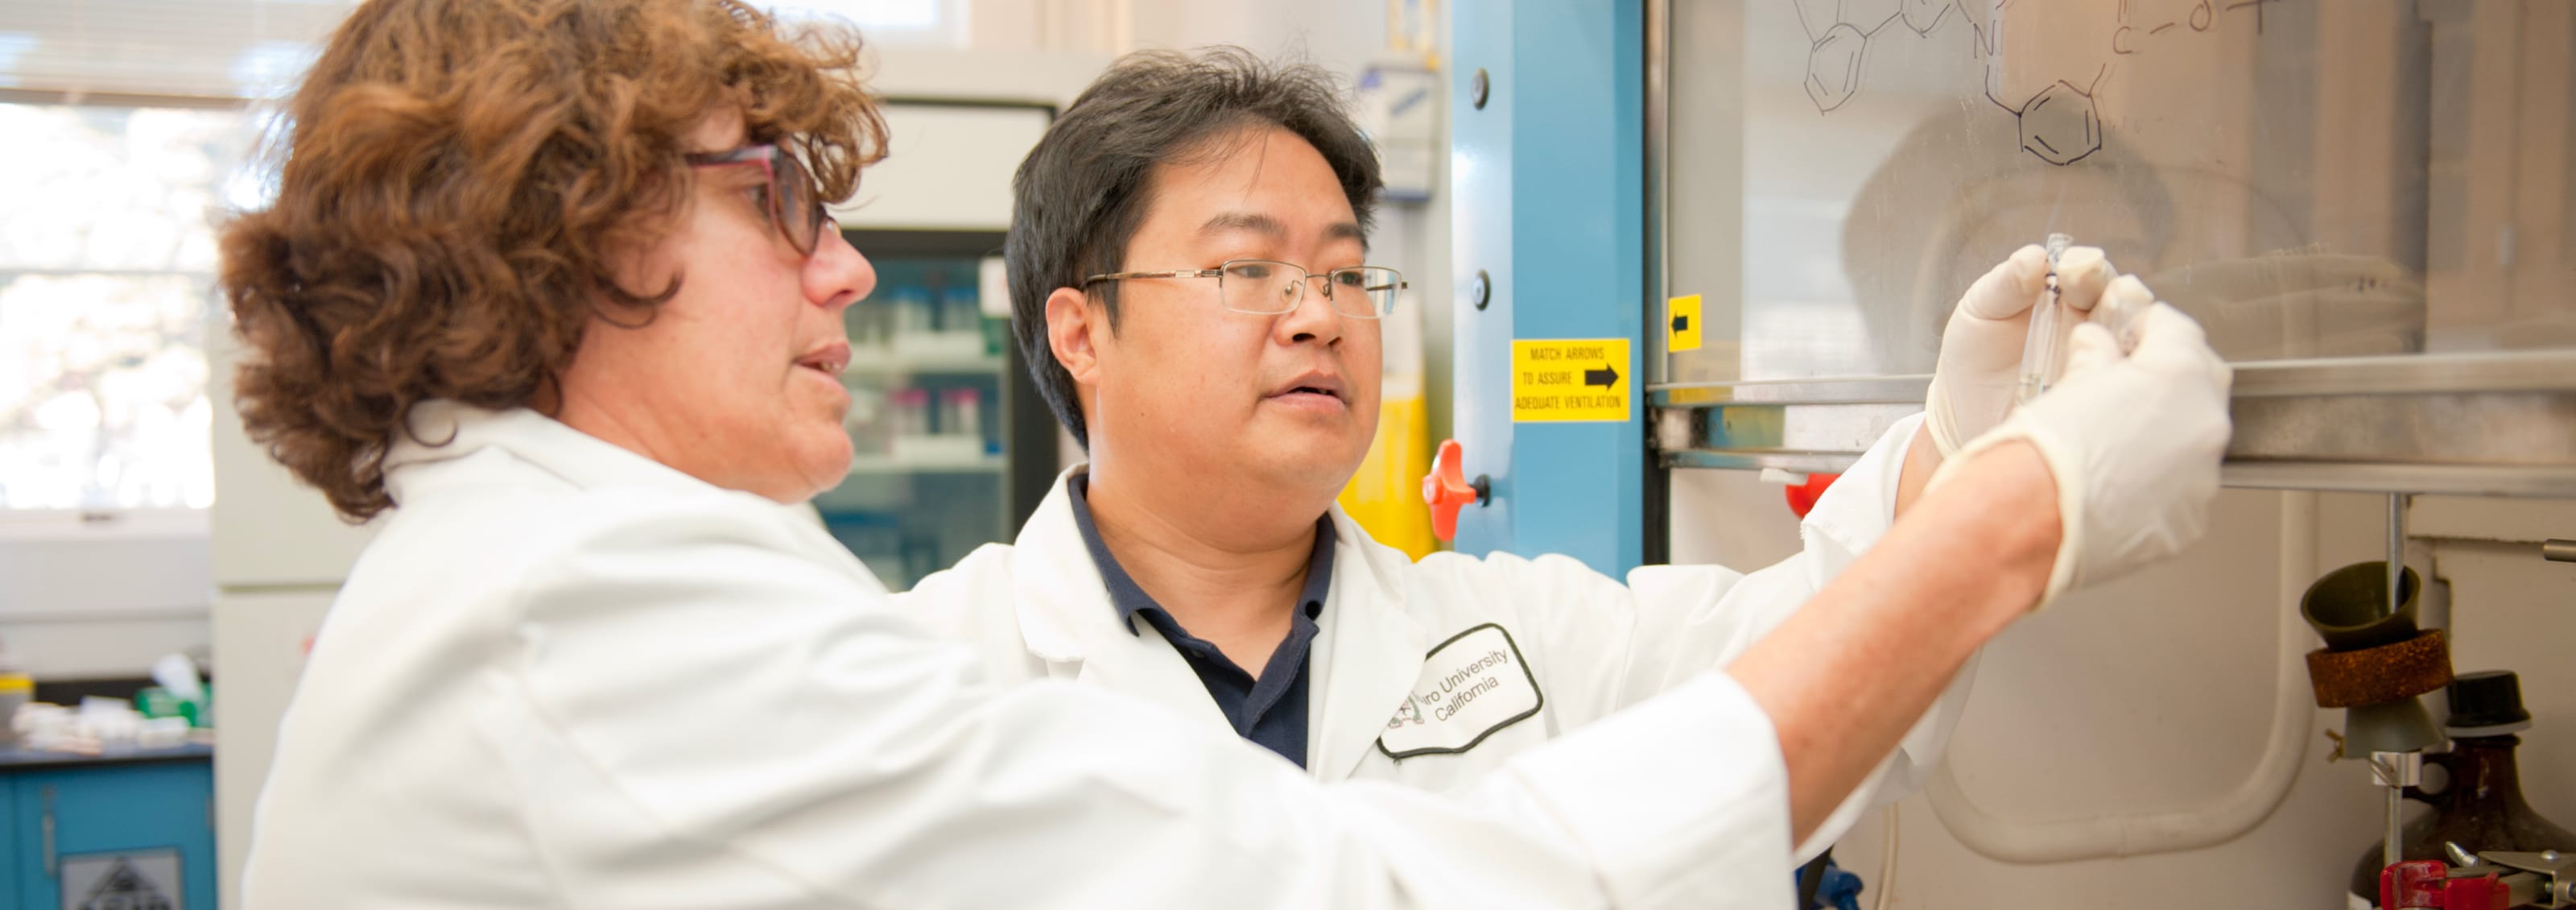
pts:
[117, 808]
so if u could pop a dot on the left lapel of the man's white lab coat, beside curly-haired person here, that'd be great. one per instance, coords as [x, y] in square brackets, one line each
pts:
[1068, 617]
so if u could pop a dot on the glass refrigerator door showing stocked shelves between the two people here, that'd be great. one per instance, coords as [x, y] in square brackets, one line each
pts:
[952, 445]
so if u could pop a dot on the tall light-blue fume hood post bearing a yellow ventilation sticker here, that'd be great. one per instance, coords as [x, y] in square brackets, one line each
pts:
[1549, 200]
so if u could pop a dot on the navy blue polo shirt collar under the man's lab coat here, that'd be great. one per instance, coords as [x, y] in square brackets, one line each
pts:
[1269, 710]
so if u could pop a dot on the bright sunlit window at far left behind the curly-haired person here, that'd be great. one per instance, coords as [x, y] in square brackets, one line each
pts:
[107, 295]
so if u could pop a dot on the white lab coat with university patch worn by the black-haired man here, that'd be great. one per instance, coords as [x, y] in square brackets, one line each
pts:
[1382, 677]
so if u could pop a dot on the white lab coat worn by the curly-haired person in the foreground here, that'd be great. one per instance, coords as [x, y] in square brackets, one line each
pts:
[568, 677]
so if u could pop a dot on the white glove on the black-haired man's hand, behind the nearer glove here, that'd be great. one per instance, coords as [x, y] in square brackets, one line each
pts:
[1982, 347]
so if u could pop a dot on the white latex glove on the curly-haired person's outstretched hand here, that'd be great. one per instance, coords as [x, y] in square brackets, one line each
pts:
[2134, 445]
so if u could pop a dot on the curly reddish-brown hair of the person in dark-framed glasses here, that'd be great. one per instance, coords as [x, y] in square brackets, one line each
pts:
[457, 182]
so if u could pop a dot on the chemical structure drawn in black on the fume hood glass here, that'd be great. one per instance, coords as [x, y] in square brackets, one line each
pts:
[2062, 122]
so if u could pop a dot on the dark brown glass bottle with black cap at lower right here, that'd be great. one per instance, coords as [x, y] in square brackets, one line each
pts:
[2482, 808]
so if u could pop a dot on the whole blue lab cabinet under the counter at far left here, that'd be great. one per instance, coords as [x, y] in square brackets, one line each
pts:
[120, 837]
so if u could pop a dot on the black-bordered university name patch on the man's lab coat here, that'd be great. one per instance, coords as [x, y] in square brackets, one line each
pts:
[1472, 687]
